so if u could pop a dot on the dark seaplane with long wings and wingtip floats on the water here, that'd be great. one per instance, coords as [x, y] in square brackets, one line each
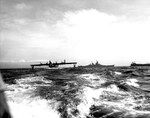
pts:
[51, 64]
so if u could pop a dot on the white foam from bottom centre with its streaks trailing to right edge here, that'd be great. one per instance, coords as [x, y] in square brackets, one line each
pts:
[125, 101]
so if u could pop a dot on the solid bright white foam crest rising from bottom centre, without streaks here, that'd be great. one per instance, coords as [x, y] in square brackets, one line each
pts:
[93, 97]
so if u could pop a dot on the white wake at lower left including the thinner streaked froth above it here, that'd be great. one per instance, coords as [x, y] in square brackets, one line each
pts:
[23, 103]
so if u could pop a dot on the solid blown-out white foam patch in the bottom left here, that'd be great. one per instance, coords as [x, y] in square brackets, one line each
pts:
[32, 109]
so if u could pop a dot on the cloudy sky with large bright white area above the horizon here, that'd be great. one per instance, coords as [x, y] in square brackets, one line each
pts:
[110, 31]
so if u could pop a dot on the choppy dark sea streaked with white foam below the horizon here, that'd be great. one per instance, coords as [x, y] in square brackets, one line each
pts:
[104, 93]
